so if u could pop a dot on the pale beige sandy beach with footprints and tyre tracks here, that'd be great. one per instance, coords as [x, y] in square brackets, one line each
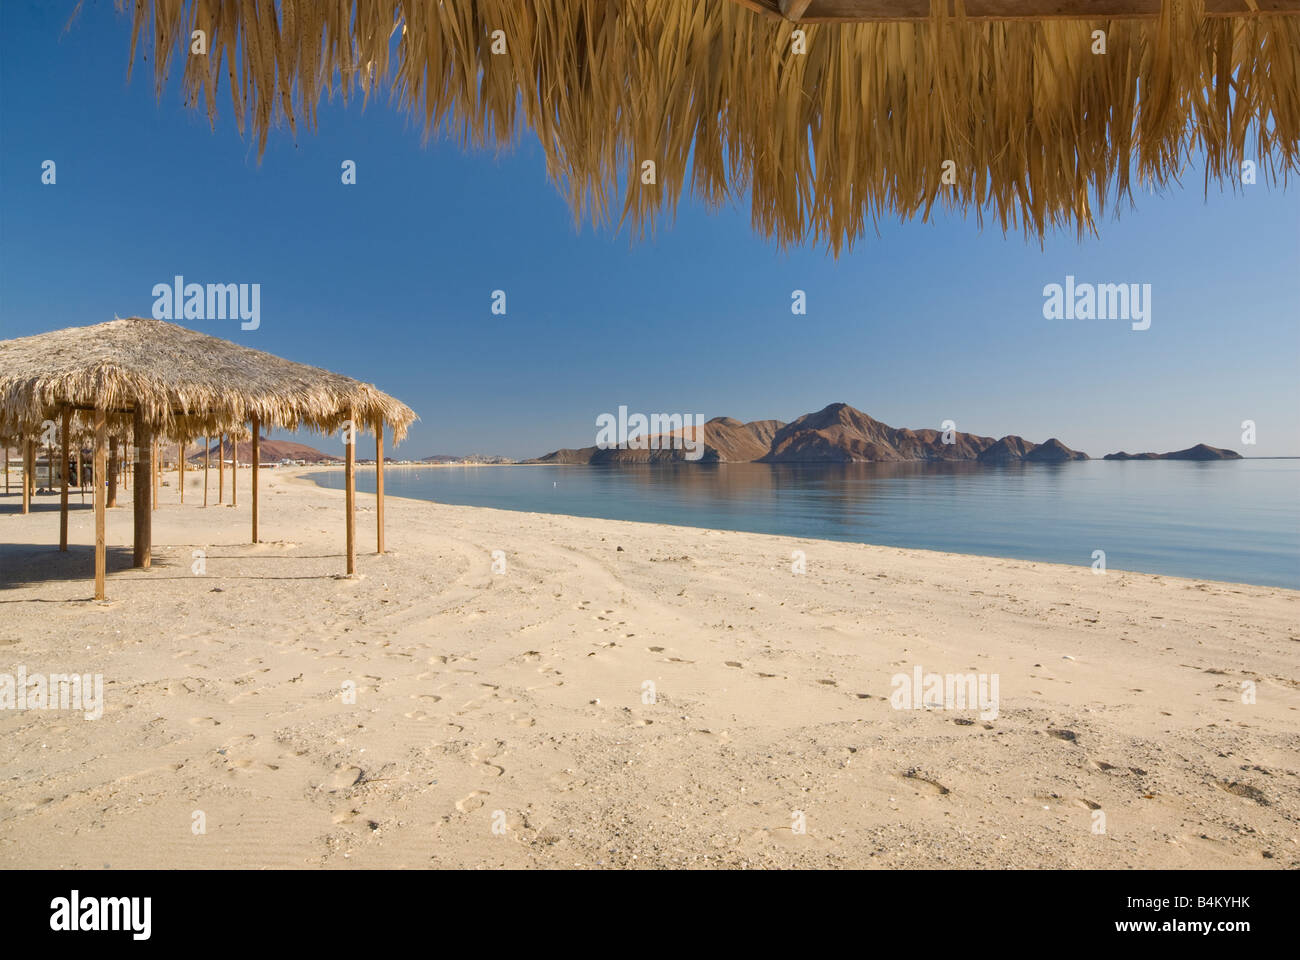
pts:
[501, 719]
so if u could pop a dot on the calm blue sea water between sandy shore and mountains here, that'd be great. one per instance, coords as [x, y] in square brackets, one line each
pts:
[1236, 521]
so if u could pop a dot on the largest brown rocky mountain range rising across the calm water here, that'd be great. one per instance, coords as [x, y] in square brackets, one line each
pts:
[838, 434]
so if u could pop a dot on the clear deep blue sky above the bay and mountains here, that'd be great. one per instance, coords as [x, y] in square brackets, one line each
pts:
[391, 280]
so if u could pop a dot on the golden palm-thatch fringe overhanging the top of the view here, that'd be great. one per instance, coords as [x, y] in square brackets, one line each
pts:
[1038, 128]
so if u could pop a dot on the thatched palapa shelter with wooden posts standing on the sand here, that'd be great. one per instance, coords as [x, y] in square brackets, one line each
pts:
[154, 380]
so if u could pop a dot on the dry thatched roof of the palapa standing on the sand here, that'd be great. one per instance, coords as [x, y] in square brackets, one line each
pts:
[187, 384]
